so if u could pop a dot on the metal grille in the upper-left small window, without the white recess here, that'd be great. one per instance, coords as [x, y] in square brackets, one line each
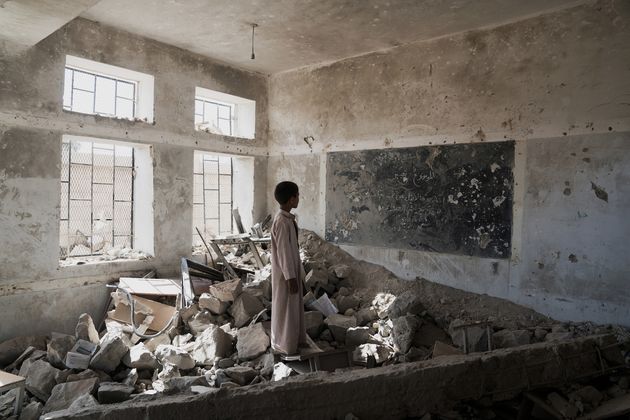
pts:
[91, 93]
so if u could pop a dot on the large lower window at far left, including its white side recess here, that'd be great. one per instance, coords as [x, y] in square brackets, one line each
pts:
[101, 183]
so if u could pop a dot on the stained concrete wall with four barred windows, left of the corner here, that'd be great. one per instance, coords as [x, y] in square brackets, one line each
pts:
[36, 295]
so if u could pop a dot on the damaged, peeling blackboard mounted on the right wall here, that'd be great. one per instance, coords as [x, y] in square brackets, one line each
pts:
[453, 199]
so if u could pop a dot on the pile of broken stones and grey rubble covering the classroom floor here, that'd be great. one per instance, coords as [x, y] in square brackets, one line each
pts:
[222, 340]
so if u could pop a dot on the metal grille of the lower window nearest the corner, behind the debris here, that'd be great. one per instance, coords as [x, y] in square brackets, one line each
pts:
[212, 196]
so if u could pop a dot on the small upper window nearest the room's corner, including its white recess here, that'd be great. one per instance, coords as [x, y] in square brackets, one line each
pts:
[224, 114]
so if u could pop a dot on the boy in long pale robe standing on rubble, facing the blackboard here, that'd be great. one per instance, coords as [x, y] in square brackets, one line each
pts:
[287, 273]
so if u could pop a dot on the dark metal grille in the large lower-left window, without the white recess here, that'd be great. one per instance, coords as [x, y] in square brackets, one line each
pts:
[96, 198]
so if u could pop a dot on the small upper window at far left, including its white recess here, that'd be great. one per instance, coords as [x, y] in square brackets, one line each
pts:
[95, 88]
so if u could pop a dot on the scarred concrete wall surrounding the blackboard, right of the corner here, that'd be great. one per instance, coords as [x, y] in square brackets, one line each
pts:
[557, 84]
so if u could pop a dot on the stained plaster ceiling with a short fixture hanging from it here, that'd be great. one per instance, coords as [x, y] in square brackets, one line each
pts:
[297, 33]
